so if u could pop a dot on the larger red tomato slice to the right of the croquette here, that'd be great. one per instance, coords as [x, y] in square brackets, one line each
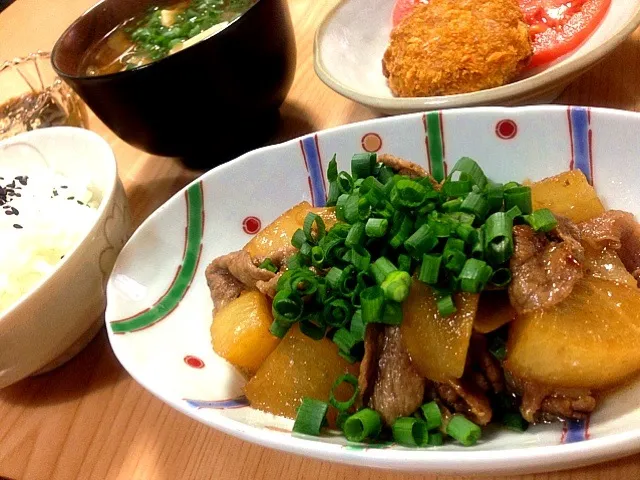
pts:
[558, 27]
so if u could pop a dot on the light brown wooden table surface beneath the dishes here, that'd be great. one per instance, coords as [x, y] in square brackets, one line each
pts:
[89, 418]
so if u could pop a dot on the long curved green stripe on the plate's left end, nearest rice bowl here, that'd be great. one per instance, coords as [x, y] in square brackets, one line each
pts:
[186, 272]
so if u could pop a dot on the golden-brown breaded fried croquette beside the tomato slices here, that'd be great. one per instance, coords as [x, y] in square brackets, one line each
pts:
[456, 46]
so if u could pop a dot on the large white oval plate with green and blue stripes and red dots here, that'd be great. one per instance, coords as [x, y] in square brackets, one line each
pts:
[159, 307]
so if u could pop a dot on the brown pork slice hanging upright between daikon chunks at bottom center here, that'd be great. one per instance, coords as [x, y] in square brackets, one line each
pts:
[388, 381]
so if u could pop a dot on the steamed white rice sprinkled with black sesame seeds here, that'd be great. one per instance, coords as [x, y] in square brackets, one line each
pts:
[43, 216]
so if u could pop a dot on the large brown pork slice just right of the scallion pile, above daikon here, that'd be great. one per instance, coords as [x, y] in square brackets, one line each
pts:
[544, 267]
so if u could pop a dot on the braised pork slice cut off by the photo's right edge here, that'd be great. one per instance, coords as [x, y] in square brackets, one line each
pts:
[619, 231]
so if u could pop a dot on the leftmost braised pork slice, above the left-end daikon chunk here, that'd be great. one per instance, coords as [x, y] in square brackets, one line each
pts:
[229, 275]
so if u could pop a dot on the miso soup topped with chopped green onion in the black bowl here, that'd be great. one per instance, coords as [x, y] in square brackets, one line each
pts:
[159, 32]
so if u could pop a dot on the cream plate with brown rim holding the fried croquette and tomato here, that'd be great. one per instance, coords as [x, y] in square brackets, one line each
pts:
[351, 40]
